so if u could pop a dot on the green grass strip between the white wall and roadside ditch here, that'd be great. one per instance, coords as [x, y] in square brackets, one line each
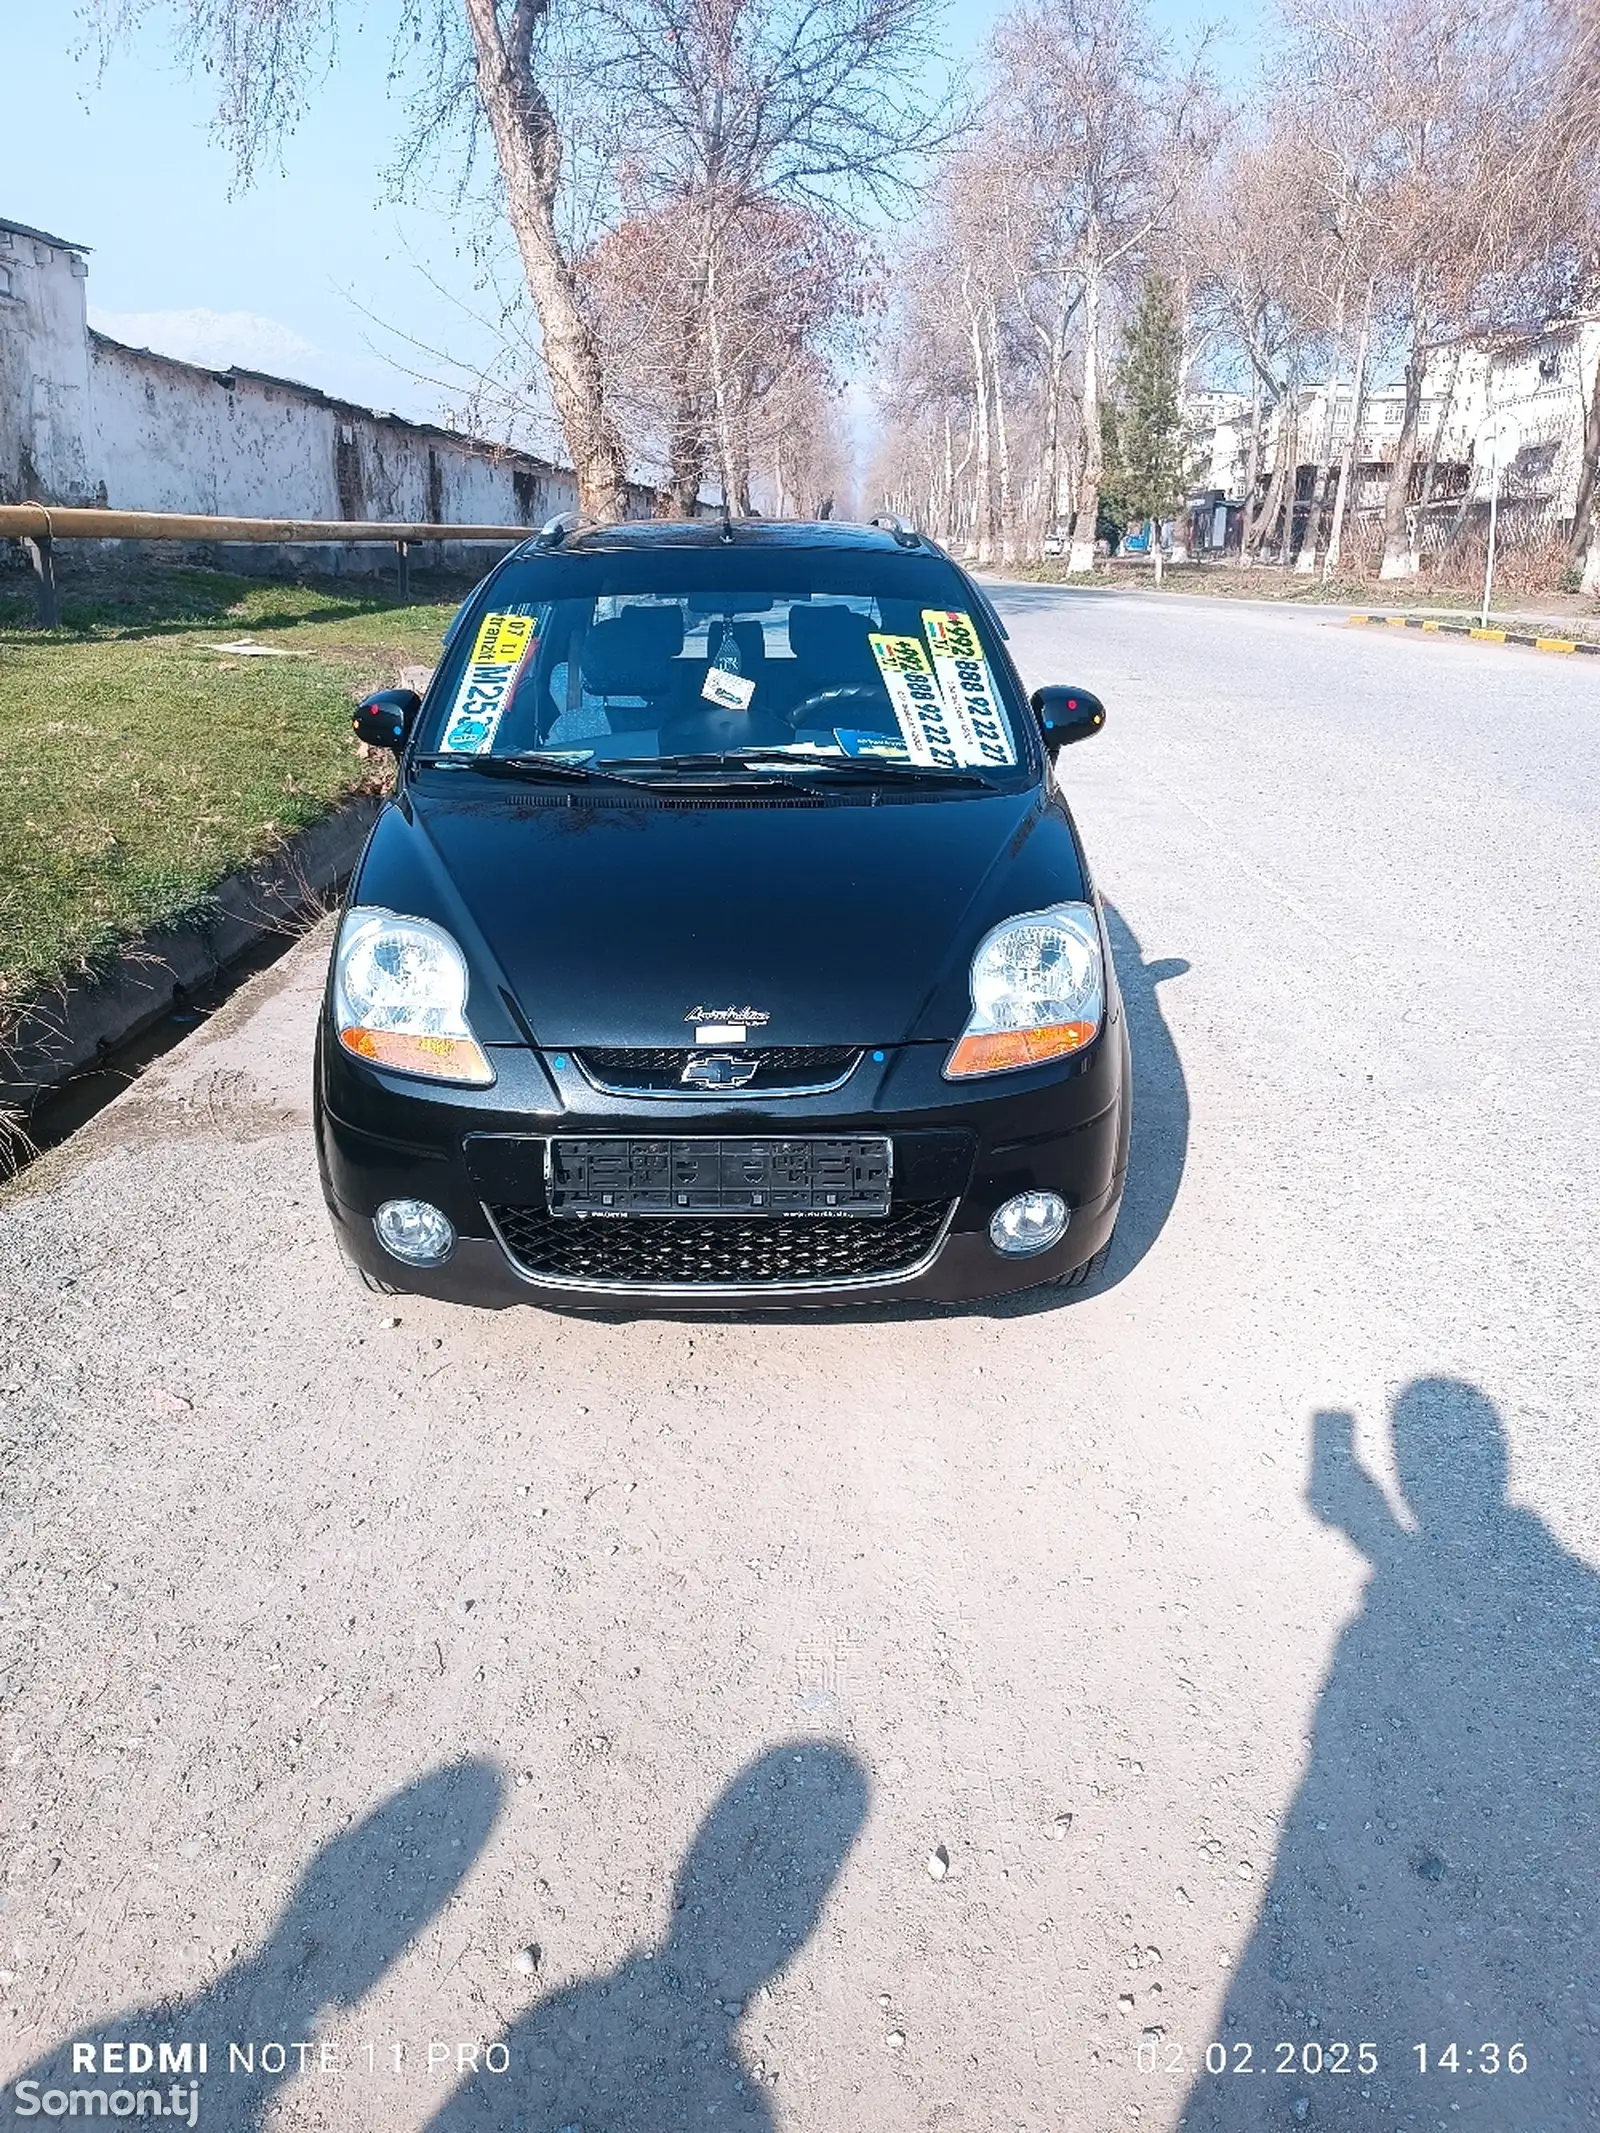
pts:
[140, 765]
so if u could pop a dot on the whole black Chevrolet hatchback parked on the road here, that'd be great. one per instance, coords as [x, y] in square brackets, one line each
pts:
[726, 942]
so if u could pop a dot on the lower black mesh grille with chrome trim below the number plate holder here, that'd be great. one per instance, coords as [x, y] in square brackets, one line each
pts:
[720, 1251]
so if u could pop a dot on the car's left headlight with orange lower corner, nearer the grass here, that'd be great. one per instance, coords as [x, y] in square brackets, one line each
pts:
[400, 999]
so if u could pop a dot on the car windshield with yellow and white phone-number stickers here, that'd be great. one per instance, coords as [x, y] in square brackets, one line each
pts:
[673, 660]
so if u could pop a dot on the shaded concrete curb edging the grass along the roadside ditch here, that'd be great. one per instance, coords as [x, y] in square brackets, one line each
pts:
[76, 1027]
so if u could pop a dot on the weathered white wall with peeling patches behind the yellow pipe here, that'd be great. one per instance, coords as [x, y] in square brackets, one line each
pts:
[89, 421]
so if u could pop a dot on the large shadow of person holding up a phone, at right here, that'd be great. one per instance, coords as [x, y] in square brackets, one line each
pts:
[1437, 1876]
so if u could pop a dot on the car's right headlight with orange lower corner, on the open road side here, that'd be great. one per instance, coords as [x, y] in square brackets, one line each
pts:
[1038, 993]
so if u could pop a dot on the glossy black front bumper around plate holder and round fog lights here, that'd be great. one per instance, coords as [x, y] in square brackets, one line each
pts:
[959, 1153]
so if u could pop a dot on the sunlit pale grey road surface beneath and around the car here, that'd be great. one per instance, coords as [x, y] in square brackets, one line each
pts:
[1228, 1631]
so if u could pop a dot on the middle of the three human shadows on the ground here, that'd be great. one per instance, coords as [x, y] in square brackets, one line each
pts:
[654, 2047]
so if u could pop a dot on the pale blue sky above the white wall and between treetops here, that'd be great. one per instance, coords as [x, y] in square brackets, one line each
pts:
[308, 272]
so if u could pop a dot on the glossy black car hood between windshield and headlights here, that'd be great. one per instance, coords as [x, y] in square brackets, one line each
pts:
[611, 925]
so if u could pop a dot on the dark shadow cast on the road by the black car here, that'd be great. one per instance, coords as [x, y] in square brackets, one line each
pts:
[1157, 1155]
